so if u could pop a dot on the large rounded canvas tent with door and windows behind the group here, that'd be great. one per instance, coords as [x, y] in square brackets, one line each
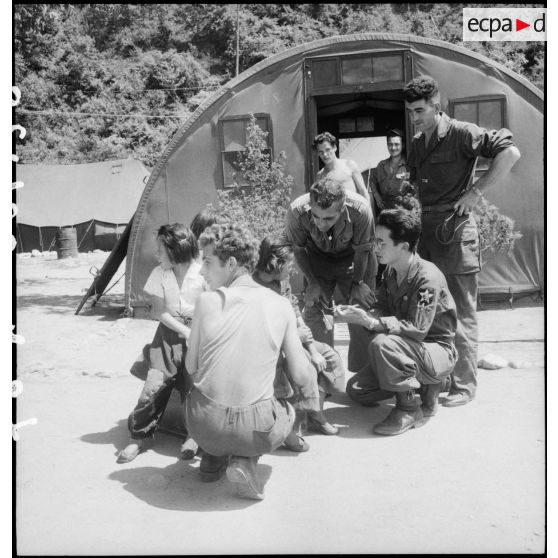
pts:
[351, 86]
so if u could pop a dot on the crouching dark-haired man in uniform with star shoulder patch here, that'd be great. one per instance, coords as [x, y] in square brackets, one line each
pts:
[412, 328]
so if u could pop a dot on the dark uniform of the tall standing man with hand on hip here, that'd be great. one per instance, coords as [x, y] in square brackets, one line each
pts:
[441, 172]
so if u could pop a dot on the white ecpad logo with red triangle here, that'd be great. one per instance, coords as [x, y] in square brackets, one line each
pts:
[504, 24]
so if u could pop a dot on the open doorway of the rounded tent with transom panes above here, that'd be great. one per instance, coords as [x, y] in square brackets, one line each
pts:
[357, 98]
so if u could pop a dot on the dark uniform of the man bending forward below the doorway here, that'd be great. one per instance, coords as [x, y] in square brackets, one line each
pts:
[331, 255]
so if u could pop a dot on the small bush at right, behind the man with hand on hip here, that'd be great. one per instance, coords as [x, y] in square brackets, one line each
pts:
[496, 231]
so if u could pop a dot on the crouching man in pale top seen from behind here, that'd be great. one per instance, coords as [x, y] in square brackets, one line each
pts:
[238, 331]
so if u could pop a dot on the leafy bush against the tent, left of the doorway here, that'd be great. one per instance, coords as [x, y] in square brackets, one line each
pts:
[260, 197]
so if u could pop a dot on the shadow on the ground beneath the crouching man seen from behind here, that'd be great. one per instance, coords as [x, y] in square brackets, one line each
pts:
[178, 487]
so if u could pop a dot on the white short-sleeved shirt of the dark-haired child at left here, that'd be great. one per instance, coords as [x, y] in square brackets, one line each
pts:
[179, 302]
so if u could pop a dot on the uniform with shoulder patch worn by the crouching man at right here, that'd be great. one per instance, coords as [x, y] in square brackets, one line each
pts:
[416, 346]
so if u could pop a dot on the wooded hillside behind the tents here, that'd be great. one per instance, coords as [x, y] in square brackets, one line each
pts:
[106, 81]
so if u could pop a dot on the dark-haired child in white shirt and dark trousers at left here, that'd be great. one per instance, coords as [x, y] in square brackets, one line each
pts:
[173, 286]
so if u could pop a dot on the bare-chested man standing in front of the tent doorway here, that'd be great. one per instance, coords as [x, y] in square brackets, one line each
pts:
[344, 171]
